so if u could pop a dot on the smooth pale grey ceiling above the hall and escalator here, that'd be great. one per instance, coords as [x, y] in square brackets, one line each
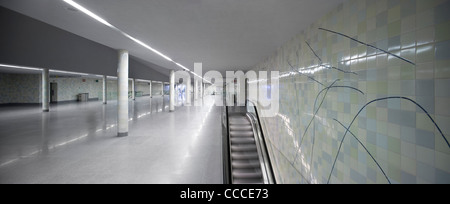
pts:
[223, 34]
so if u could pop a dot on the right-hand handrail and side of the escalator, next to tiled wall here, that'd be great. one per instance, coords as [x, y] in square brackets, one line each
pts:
[261, 142]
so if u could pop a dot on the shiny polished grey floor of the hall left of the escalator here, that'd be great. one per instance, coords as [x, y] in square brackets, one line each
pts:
[77, 143]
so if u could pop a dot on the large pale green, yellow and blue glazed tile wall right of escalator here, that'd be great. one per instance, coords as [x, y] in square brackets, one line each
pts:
[337, 123]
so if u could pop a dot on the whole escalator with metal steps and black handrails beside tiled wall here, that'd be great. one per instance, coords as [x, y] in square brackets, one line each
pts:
[245, 157]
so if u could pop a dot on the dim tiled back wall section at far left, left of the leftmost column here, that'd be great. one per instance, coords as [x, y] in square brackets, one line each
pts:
[20, 88]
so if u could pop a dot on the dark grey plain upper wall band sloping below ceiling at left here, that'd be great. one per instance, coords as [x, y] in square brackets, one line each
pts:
[29, 42]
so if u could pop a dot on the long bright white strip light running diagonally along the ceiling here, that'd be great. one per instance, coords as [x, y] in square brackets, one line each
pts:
[103, 21]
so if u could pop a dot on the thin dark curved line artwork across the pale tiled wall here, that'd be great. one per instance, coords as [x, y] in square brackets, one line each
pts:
[315, 112]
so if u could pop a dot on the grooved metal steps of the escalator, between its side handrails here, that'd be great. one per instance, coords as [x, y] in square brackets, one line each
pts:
[245, 161]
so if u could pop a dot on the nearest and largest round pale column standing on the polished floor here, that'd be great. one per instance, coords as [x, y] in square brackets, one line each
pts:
[122, 94]
